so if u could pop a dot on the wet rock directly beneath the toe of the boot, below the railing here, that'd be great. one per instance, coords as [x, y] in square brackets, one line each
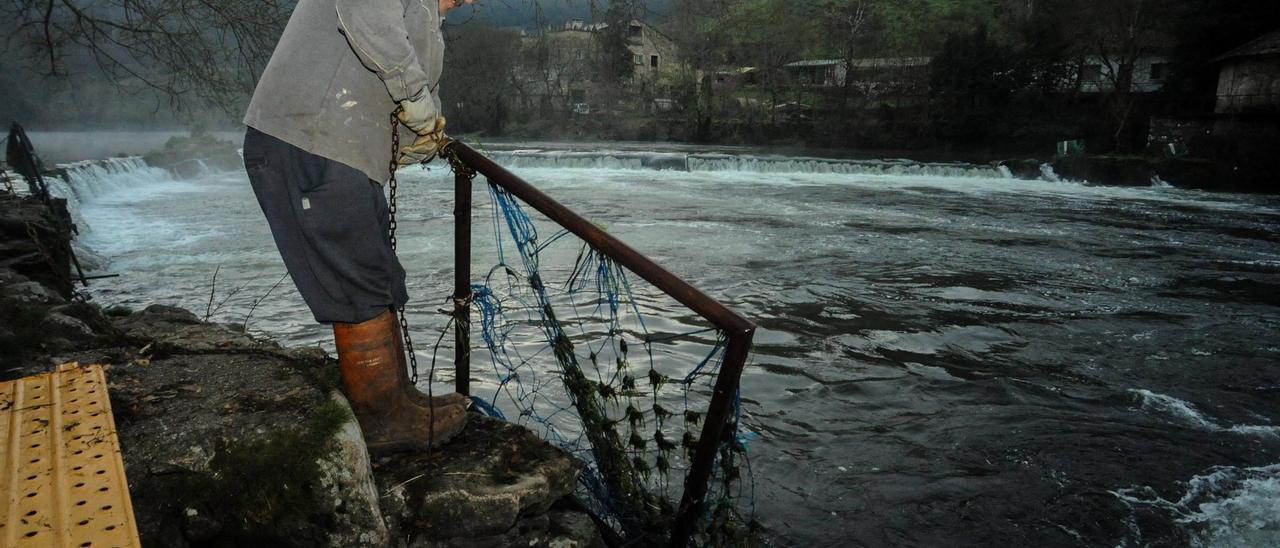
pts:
[478, 487]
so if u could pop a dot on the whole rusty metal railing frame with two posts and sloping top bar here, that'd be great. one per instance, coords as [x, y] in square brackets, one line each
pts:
[738, 331]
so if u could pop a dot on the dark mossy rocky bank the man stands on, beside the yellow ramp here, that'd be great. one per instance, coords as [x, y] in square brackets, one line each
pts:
[235, 441]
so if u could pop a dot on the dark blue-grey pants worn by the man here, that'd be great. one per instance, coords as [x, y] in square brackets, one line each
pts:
[330, 222]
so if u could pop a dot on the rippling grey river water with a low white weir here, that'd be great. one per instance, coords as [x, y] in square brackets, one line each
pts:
[947, 357]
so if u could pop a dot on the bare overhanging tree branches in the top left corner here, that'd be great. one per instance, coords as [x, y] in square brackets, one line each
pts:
[188, 51]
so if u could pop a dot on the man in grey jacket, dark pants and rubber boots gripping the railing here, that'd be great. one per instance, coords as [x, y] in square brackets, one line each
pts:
[318, 150]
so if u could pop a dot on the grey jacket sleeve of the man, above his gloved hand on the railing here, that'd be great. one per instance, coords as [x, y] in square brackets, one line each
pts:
[376, 31]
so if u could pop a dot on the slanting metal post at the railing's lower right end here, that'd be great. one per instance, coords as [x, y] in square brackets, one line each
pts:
[692, 504]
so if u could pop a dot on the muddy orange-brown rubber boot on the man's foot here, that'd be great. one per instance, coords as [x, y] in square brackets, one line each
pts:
[372, 378]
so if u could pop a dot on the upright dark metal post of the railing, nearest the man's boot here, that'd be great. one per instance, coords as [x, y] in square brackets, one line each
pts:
[463, 281]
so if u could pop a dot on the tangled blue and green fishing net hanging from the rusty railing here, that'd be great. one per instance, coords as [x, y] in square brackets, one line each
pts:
[596, 366]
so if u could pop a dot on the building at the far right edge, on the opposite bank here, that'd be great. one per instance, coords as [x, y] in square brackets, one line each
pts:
[1250, 77]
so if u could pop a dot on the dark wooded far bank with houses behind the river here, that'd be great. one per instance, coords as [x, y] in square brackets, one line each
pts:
[964, 76]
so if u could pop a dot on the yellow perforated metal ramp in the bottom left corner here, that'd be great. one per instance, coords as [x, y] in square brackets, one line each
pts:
[62, 482]
